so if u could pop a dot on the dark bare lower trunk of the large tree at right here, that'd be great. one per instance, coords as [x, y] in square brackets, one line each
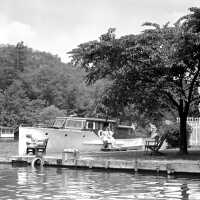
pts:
[183, 135]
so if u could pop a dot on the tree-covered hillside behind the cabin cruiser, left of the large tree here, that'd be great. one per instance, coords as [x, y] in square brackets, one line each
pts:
[36, 86]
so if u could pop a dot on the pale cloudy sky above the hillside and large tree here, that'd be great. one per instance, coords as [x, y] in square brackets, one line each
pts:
[57, 26]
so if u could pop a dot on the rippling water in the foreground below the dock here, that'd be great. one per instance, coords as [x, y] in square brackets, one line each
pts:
[56, 183]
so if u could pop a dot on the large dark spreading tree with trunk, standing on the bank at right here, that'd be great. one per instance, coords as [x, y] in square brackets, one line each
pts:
[157, 71]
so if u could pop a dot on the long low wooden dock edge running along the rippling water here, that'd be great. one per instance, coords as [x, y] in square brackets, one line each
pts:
[134, 165]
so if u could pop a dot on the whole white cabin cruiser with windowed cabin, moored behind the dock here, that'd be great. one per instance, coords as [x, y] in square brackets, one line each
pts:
[83, 134]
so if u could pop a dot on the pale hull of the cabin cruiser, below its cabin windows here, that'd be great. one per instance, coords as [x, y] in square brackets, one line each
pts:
[60, 139]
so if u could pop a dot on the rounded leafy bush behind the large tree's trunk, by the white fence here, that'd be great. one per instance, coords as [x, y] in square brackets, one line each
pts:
[173, 131]
